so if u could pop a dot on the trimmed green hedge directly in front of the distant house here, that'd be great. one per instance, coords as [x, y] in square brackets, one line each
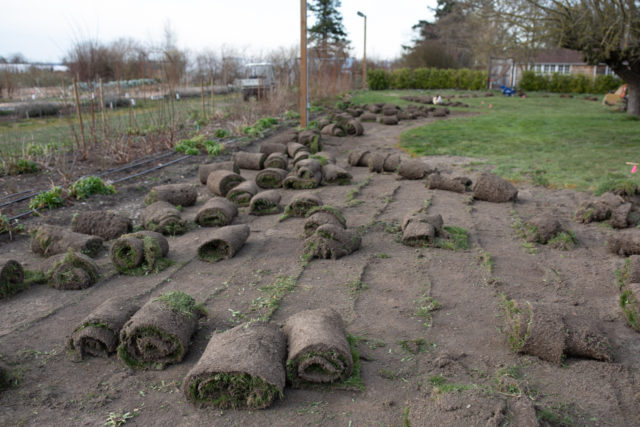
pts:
[563, 83]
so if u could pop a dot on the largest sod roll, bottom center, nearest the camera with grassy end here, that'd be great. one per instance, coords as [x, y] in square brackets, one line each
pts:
[241, 368]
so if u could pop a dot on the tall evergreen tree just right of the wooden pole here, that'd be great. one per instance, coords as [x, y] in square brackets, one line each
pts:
[327, 36]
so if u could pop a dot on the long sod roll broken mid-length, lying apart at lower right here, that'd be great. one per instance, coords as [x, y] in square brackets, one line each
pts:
[551, 334]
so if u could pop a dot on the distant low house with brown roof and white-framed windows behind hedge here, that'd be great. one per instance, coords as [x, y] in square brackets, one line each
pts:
[507, 72]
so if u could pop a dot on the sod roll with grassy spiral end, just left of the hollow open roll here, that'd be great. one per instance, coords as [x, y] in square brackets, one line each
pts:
[140, 253]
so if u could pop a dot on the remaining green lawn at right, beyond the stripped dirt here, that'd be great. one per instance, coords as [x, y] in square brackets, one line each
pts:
[551, 141]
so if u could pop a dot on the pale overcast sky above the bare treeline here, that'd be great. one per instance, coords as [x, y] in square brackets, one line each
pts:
[44, 30]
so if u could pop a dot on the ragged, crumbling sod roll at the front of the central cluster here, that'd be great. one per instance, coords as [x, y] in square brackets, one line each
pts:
[331, 241]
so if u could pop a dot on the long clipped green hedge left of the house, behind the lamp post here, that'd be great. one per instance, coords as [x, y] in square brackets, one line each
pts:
[426, 78]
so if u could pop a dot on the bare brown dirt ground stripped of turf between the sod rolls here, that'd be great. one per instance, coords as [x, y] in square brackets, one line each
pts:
[420, 364]
